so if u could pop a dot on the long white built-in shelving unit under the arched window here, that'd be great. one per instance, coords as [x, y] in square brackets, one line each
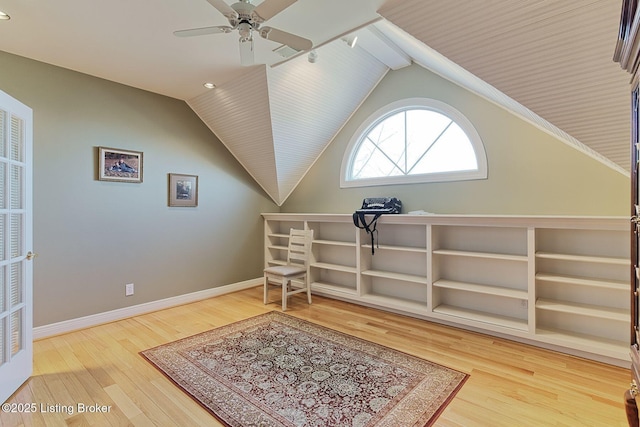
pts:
[559, 282]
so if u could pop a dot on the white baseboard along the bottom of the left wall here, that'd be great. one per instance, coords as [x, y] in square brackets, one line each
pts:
[123, 313]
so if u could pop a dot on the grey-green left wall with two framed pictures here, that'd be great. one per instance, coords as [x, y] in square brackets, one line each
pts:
[93, 237]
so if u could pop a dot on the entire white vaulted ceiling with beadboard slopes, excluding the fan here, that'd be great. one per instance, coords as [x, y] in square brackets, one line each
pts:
[550, 61]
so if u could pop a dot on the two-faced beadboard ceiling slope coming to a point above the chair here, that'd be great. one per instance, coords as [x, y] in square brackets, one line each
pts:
[277, 121]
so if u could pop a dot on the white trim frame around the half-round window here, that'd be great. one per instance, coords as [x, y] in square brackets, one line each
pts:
[395, 107]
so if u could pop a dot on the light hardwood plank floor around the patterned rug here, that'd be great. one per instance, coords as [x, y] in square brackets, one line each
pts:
[510, 384]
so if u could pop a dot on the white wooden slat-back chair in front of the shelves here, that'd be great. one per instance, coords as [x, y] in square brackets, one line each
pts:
[298, 253]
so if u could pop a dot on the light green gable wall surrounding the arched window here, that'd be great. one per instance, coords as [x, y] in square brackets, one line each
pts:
[530, 171]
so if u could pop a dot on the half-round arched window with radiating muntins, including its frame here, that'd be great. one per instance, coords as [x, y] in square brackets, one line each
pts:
[414, 140]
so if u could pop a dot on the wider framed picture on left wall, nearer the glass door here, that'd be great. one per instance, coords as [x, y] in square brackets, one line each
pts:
[119, 165]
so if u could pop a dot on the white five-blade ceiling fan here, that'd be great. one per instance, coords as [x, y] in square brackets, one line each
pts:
[247, 18]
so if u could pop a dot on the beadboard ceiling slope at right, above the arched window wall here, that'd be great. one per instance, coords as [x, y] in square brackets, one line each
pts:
[552, 56]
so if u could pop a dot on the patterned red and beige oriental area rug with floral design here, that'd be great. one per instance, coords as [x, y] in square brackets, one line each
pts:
[277, 370]
